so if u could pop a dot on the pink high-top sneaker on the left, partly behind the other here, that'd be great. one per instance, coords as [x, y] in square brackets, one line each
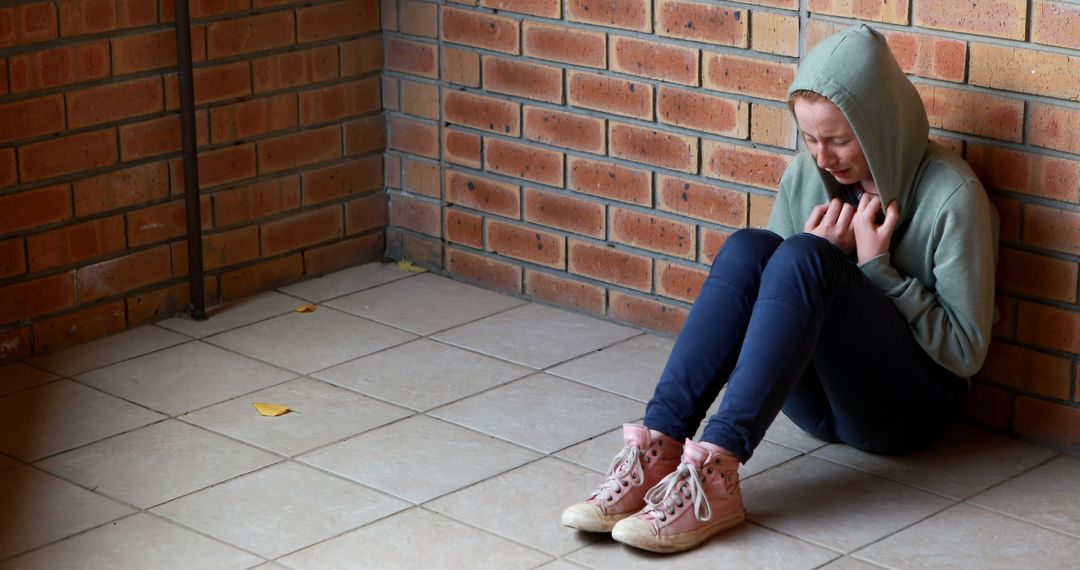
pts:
[641, 465]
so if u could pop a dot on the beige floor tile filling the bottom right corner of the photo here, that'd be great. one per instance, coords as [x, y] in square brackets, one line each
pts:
[967, 537]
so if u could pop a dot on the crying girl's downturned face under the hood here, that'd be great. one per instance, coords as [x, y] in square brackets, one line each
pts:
[832, 143]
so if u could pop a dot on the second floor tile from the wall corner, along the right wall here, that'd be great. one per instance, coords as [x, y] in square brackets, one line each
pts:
[425, 304]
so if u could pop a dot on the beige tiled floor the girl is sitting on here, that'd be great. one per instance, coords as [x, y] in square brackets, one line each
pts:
[442, 426]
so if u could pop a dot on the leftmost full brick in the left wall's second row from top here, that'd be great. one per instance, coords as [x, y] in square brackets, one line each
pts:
[59, 66]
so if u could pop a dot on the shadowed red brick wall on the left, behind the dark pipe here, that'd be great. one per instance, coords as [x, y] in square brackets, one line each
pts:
[92, 220]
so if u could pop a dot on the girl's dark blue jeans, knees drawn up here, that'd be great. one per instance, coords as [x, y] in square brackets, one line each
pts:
[794, 324]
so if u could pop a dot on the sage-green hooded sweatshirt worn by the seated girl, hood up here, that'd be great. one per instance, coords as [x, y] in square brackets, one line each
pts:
[940, 268]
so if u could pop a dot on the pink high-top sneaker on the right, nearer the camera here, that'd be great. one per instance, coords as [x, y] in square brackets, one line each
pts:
[699, 500]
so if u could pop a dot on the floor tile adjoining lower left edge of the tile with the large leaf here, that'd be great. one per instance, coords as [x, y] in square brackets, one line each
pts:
[157, 464]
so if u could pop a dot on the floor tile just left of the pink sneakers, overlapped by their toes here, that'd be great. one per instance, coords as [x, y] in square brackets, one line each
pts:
[529, 504]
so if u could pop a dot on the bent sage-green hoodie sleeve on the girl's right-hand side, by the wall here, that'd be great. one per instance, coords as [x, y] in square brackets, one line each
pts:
[952, 321]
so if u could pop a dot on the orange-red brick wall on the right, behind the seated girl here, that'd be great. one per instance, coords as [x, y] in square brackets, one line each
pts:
[596, 154]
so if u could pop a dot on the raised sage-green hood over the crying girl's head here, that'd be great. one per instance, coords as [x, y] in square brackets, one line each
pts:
[856, 71]
